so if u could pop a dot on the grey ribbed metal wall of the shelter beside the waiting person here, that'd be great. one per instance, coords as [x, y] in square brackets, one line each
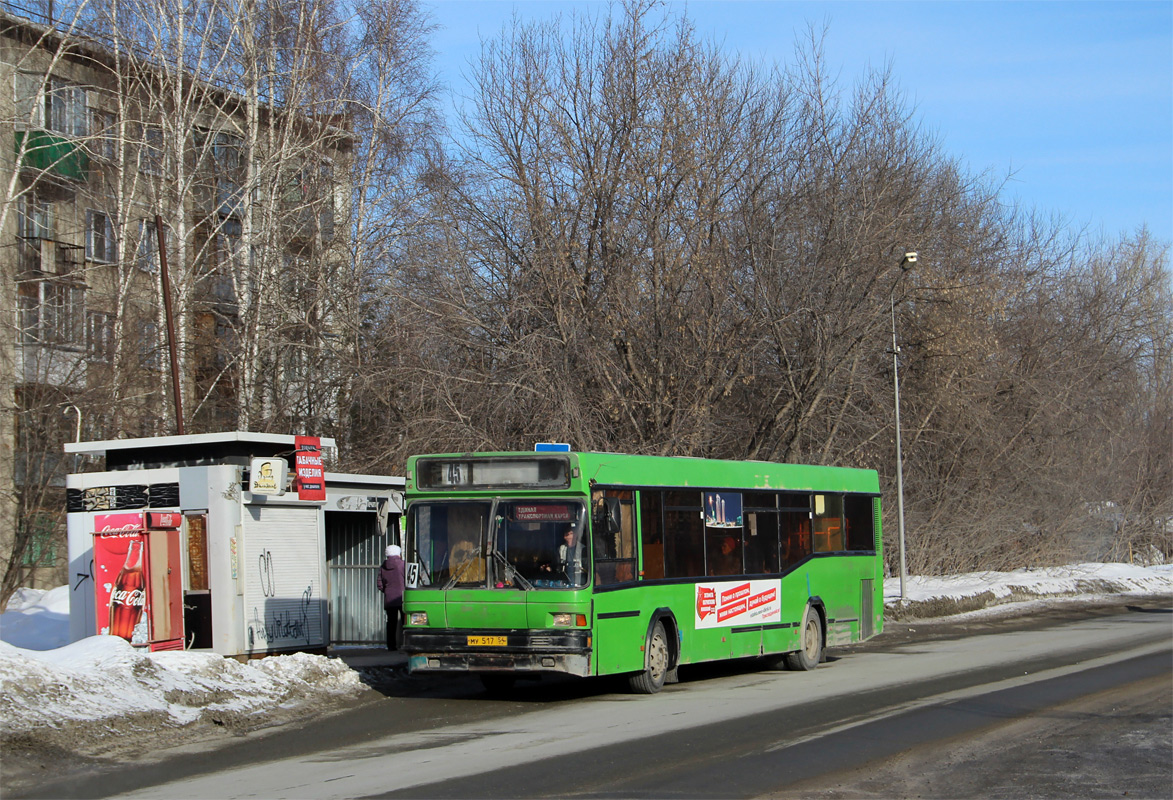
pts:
[355, 550]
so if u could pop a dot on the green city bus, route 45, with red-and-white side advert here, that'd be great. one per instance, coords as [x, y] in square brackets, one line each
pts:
[602, 564]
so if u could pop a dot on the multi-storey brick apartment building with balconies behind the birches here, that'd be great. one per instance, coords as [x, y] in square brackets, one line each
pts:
[106, 154]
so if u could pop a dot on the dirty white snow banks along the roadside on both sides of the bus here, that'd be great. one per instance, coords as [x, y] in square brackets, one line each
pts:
[103, 684]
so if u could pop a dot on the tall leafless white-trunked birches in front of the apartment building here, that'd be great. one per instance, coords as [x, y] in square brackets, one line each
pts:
[238, 130]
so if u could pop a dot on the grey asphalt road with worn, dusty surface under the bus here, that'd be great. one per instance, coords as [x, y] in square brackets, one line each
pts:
[1056, 706]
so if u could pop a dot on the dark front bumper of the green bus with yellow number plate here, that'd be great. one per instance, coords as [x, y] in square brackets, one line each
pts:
[566, 652]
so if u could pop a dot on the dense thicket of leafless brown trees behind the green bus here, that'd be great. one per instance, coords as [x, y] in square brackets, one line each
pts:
[645, 246]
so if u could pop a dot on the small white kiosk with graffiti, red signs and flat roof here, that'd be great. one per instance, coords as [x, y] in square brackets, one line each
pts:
[233, 531]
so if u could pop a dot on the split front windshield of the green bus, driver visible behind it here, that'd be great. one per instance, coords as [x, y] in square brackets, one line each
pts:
[530, 545]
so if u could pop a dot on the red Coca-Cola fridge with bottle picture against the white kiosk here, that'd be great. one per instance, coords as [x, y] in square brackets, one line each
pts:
[139, 592]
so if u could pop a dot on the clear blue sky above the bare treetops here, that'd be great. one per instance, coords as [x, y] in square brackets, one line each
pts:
[1075, 99]
